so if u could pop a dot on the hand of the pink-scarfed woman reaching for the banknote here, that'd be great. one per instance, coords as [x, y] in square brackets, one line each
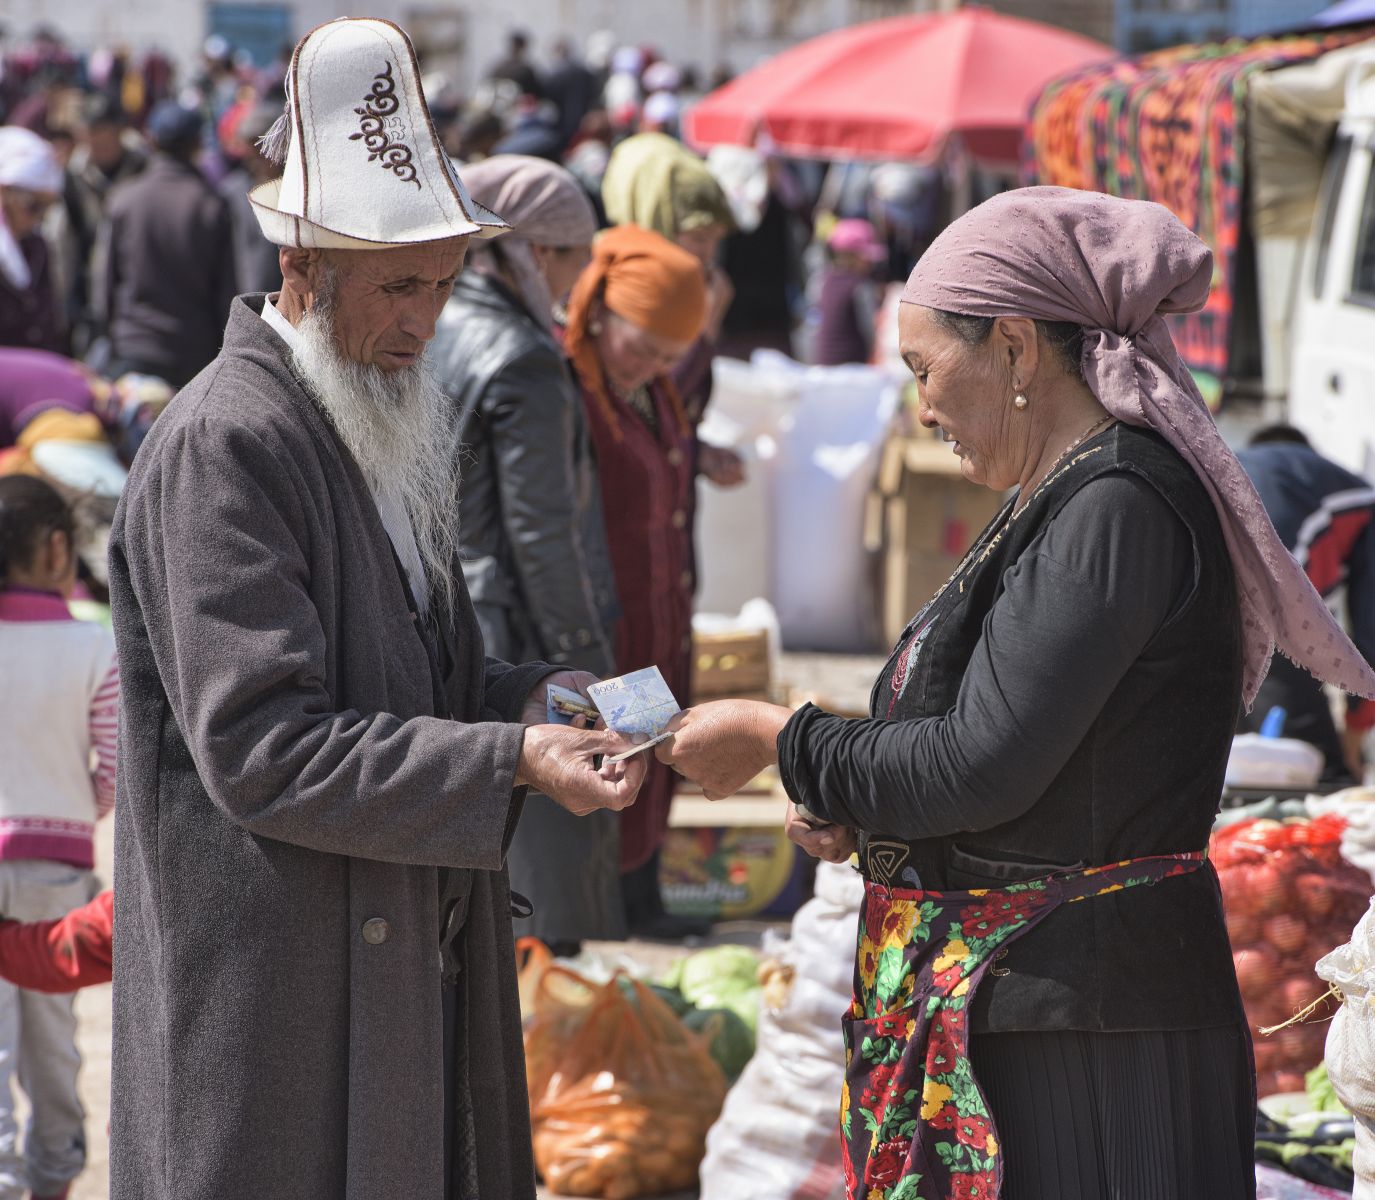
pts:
[725, 744]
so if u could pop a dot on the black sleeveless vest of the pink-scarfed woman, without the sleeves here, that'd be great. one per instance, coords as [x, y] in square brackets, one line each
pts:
[1146, 780]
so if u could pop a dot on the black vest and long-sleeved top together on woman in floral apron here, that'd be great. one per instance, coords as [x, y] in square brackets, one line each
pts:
[1069, 700]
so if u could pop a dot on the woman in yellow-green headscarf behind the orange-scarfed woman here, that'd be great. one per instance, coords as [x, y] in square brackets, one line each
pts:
[658, 184]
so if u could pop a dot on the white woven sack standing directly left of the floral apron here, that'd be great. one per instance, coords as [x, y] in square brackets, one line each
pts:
[779, 1135]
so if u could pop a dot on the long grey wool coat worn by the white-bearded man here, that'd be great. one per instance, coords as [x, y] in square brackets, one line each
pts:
[287, 788]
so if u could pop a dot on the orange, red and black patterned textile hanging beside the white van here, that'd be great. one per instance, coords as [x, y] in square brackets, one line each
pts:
[1171, 127]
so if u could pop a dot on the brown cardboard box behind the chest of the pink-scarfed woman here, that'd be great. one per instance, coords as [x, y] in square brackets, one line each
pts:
[923, 518]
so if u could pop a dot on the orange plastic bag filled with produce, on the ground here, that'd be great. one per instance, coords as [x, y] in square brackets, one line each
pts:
[622, 1093]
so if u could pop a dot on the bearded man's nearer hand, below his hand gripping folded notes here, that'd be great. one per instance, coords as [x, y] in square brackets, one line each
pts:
[562, 762]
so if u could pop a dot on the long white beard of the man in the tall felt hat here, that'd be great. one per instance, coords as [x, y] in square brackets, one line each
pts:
[404, 435]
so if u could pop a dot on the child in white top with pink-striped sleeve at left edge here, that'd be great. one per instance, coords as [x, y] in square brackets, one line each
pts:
[60, 692]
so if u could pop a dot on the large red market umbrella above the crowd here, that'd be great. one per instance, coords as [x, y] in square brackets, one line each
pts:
[897, 89]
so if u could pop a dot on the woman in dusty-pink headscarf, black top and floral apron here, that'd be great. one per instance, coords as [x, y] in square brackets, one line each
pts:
[1053, 729]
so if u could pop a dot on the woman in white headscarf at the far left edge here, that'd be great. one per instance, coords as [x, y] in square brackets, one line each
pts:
[31, 182]
